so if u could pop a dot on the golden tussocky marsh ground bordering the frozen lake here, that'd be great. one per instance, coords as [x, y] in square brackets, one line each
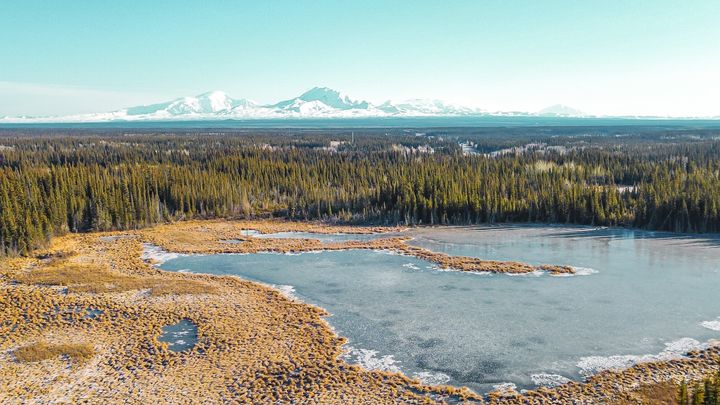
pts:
[213, 303]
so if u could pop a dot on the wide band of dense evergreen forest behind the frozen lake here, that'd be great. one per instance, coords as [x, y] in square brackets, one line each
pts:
[50, 185]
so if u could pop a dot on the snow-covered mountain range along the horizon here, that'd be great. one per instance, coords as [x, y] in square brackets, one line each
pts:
[318, 102]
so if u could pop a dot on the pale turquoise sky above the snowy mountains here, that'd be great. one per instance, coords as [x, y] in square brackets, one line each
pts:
[612, 57]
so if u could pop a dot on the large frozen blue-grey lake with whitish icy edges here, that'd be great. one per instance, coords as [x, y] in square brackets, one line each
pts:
[642, 296]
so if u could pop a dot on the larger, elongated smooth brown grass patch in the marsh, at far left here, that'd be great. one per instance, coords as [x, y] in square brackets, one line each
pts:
[96, 279]
